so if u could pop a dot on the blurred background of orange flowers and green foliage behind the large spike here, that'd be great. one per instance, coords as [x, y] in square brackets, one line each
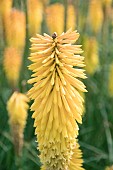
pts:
[22, 19]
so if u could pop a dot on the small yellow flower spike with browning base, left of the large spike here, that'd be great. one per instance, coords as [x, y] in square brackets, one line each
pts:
[17, 109]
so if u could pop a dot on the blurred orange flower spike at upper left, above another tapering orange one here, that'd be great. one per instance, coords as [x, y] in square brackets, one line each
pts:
[15, 29]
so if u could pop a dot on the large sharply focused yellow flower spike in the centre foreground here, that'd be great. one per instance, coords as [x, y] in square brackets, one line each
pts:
[57, 103]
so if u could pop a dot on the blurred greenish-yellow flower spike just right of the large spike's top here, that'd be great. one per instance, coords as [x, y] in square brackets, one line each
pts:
[91, 54]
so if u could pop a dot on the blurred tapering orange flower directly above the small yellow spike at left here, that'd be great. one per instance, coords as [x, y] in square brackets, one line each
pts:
[12, 64]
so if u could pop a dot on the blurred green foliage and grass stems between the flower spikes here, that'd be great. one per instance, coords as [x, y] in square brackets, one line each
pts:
[96, 132]
